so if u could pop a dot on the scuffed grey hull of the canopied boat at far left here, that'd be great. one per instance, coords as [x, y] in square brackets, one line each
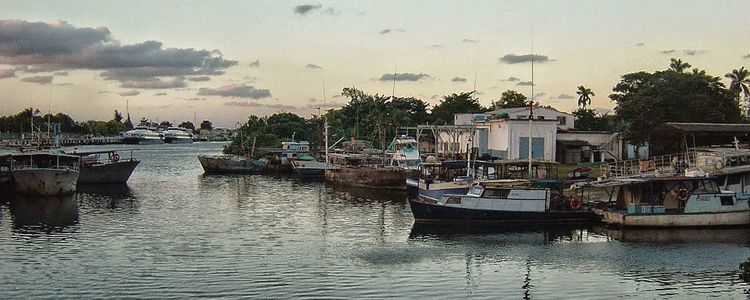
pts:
[45, 182]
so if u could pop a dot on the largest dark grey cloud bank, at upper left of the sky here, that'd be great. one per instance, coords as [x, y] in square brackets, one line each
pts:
[36, 46]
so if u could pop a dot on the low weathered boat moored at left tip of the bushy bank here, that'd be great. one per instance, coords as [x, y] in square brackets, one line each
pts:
[229, 163]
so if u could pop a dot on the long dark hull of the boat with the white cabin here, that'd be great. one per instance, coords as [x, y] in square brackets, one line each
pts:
[427, 212]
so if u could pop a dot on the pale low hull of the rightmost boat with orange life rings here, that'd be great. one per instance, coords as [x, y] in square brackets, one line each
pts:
[717, 219]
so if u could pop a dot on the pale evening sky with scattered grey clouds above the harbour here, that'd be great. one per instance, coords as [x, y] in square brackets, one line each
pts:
[225, 60]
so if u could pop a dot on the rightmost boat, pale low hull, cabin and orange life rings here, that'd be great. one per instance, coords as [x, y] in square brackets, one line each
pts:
[671, 201]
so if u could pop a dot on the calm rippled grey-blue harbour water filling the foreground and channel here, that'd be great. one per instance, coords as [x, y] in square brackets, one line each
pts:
[173, 233]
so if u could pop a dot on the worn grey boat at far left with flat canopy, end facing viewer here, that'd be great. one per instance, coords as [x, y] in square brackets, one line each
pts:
[44, 173]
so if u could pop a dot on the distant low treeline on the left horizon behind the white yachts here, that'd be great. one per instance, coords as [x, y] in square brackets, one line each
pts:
[20, 123]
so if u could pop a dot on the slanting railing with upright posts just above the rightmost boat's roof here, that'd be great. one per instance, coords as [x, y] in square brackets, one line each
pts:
[664, 165]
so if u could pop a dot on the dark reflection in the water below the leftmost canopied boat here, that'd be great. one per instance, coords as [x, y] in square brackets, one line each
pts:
[43, 213]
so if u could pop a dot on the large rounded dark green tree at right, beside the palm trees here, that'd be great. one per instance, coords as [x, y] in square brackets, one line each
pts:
[645, 100]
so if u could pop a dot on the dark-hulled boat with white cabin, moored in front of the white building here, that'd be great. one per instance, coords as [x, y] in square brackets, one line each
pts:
[502, 201]
